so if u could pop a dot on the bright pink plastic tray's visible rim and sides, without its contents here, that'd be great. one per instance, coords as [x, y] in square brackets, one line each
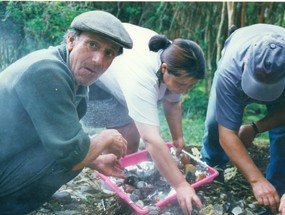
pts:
[139, 157]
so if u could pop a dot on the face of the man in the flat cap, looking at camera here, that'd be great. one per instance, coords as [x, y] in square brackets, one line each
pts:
[90, 56]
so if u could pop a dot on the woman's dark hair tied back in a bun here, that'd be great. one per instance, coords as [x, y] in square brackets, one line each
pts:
[181, 55]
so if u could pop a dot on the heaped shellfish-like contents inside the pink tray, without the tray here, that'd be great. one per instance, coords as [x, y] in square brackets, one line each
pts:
[145, 186]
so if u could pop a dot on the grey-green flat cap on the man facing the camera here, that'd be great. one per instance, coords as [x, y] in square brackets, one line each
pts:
[103, 23]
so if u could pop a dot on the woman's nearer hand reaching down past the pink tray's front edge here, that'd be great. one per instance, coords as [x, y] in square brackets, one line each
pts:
[186, 196]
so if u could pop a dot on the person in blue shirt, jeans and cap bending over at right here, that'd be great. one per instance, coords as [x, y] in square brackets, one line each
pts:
[251, 70]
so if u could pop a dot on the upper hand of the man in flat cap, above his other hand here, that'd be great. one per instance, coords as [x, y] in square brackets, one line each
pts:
[116, 142]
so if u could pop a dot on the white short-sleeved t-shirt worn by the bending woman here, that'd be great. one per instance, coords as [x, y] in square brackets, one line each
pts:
[132, 79]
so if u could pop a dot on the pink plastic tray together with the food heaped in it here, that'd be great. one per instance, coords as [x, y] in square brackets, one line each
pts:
[145, 189]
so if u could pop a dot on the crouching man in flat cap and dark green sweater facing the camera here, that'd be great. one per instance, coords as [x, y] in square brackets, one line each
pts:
[43, 97]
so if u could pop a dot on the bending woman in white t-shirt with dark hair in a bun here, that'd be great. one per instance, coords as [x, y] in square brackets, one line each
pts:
[126, 98]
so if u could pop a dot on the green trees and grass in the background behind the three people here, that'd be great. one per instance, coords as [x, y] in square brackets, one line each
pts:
[30, 25]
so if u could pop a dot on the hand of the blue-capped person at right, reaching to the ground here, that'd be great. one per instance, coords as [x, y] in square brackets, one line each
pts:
[266, 194]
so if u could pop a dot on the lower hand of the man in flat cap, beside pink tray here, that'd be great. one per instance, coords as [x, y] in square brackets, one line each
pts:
[108, 165]
